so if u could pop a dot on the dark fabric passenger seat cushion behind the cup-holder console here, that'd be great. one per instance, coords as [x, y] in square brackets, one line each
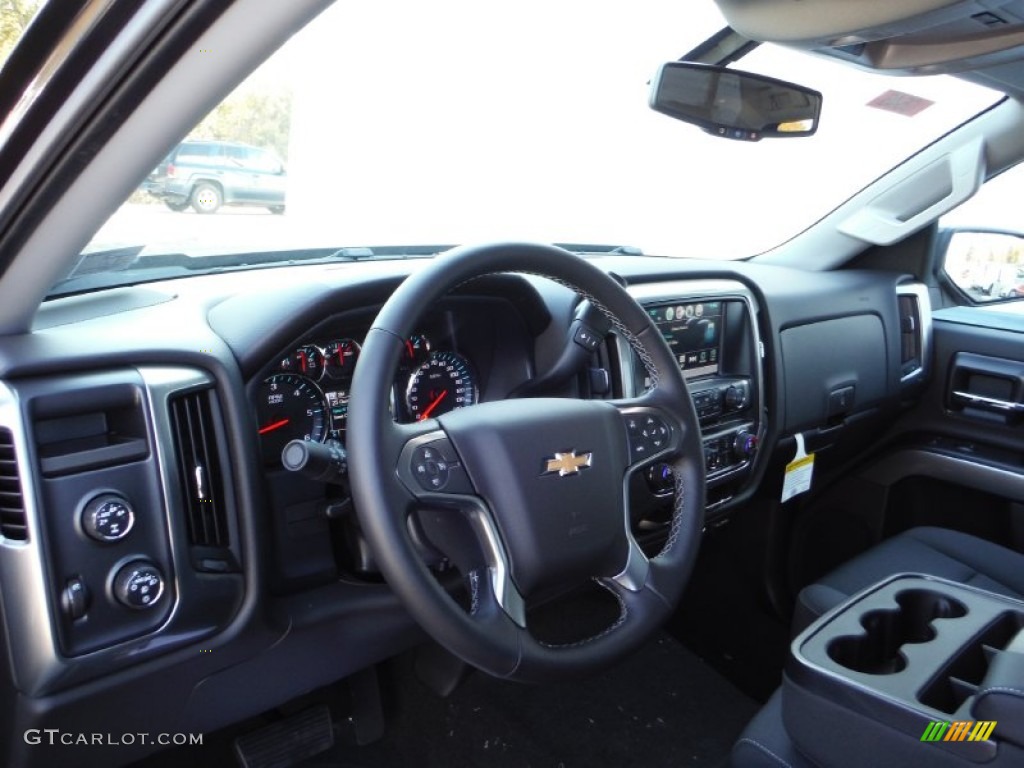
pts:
[941, 552]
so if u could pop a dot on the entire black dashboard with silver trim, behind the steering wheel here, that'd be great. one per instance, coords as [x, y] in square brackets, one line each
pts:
[147, 515]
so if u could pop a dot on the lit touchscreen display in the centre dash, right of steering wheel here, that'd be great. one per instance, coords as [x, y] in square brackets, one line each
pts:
[694, 331]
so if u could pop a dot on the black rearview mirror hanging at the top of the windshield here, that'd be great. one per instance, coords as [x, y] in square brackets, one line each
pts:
[733, 104]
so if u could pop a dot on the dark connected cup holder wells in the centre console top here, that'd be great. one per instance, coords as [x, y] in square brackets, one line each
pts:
[877, 651]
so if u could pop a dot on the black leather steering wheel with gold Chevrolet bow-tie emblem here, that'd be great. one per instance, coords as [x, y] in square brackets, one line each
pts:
[526, 495]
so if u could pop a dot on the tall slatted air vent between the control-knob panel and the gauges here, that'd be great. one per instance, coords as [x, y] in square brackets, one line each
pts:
[199, 468]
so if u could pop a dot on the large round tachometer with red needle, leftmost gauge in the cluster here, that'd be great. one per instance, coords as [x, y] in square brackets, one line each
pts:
[290, 407]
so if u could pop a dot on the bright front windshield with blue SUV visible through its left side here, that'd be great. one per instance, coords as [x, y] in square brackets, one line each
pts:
[471, 122]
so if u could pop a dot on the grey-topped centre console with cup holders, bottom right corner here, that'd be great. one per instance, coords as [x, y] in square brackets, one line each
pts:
[924, 670]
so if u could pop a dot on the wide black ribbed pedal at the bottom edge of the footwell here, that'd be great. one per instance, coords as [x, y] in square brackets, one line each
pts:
[287, 743]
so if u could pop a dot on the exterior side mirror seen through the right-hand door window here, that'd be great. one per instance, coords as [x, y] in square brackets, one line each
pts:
[985, 265]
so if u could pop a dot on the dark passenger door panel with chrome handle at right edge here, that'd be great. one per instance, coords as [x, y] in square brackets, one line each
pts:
[957, 459]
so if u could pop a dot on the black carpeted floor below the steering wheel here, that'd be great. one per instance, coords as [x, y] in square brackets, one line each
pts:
[663, 707]
